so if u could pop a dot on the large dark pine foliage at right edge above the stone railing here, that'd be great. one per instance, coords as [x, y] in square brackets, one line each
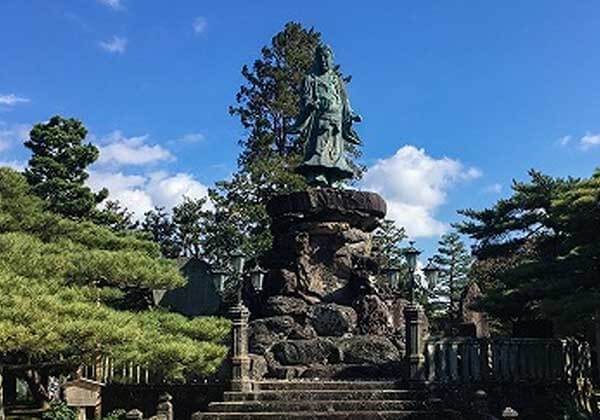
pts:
[538, 250]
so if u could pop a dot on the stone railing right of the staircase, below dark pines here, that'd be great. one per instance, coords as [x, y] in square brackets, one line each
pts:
[470, 360]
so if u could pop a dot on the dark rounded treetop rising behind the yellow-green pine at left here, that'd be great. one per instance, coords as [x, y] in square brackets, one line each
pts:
[57, 168]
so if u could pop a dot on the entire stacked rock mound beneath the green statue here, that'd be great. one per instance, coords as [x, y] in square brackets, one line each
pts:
[321, 313]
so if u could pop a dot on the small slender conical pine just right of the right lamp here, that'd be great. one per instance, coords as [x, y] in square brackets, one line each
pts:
[454, 262]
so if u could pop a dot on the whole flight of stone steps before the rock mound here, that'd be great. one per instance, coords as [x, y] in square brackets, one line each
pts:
[351, 400]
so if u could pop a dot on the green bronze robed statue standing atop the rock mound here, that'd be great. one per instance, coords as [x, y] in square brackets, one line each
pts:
[325, 121]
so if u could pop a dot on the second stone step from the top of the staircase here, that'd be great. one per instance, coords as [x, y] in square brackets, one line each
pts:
[327, 394]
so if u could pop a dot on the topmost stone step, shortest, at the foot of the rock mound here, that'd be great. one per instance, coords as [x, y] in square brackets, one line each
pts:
[311, 385]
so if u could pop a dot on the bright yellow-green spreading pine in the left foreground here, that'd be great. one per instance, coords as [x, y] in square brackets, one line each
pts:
[63, 289]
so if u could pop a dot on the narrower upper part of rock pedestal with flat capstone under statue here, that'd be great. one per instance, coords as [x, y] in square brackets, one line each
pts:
[322, 244]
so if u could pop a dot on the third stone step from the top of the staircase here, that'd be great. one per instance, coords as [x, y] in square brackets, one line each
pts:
[322, 406]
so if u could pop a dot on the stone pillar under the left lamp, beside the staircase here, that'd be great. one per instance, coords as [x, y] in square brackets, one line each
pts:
[240, 362]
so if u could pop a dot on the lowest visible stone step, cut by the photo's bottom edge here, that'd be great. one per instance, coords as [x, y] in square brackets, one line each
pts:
[339, 415]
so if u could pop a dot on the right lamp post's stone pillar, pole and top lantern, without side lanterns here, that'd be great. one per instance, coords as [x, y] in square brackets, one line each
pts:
[414, 319]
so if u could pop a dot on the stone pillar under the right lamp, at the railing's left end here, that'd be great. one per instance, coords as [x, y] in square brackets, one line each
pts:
[415, 359]
